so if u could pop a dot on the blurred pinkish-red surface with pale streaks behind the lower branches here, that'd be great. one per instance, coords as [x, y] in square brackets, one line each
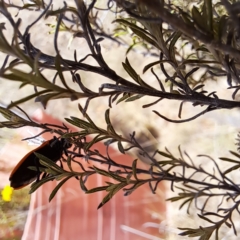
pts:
[72, 214]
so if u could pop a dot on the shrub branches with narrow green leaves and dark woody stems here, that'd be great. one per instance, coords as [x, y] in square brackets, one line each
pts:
[184, 37]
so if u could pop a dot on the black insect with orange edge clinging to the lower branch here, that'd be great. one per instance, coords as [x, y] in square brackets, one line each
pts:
[21, 175]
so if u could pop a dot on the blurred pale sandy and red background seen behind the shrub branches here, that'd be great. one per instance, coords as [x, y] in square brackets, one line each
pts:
[139, 216]
